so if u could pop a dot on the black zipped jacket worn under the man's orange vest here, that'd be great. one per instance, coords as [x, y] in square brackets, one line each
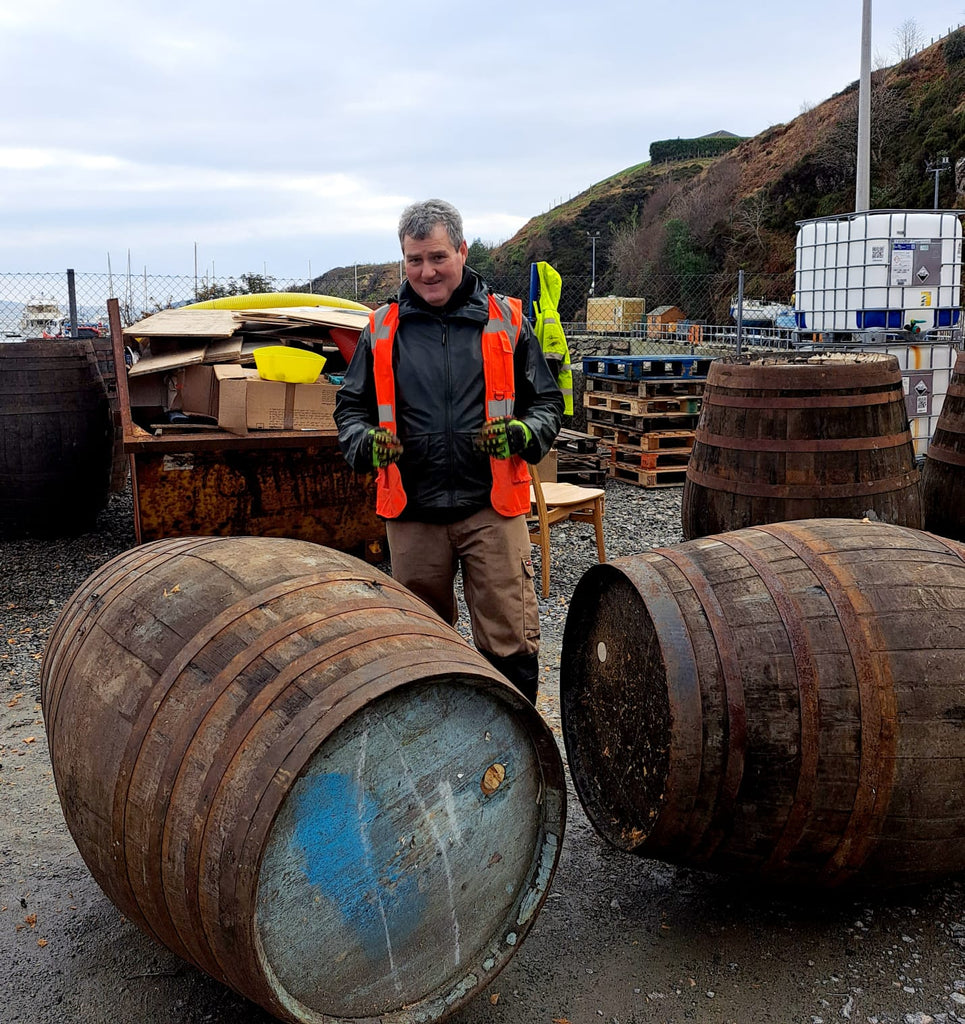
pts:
[441, 402]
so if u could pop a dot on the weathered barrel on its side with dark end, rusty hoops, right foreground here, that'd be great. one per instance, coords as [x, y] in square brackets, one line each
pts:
[783, 702]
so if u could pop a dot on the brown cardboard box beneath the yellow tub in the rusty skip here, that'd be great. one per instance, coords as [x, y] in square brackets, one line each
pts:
[248, 403]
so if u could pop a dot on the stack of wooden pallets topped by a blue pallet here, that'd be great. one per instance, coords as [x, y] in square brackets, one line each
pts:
[647, 408]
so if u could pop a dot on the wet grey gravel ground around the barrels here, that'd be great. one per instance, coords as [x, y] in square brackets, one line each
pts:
[621, 940]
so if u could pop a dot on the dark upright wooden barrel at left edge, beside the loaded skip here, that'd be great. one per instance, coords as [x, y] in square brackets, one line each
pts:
[57, 435]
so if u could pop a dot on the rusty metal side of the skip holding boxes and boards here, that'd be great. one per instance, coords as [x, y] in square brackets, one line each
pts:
[307, 493]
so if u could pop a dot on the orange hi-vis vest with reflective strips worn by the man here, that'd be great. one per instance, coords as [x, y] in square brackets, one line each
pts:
[511, 493]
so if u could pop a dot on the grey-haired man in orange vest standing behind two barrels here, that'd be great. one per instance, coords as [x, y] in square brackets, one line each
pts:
[448, 397]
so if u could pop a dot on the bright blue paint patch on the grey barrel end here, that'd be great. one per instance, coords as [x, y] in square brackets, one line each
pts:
[343, 836]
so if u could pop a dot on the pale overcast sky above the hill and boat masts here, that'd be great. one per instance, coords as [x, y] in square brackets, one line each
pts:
[281, 137]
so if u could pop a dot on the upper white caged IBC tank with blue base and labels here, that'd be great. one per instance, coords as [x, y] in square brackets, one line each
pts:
[879, 271]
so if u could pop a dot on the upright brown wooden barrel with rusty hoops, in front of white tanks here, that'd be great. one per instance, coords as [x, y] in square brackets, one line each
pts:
[802, 437]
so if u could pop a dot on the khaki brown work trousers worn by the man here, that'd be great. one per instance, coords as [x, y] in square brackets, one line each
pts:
[497, 574]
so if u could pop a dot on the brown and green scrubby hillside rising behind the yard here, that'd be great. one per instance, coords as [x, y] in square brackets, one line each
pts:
[705, 220]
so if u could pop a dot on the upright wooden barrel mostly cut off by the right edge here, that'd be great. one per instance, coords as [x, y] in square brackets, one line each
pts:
[943, 479]
